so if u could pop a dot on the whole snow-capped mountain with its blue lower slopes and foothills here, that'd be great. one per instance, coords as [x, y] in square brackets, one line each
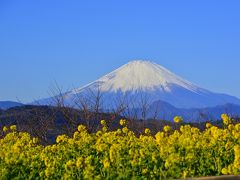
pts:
[146, 86]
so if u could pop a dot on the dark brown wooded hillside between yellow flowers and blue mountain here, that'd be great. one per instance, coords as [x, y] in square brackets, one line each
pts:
[47, 122]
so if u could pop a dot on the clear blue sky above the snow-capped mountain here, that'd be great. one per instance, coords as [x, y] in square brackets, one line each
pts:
[74, 42]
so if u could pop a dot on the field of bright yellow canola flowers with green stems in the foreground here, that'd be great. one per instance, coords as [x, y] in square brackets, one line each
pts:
[120, 154]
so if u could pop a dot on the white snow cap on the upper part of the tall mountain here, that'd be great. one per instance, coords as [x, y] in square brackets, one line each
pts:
[140, 75]
